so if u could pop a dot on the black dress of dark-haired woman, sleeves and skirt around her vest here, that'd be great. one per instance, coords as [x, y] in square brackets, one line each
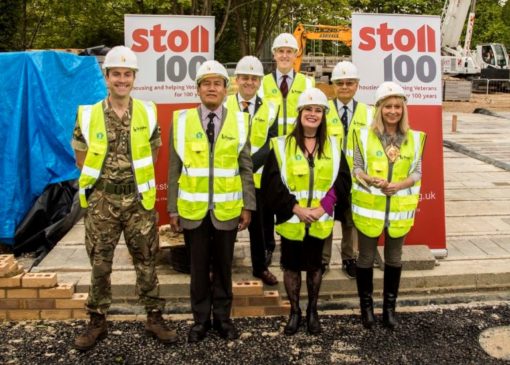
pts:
[307, 254]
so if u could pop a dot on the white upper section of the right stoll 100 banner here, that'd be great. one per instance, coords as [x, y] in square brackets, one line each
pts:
[401, 48]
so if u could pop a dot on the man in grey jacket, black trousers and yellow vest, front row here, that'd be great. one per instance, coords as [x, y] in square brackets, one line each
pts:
[210, 196]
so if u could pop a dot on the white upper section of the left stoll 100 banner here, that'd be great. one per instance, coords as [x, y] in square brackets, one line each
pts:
[170, 48]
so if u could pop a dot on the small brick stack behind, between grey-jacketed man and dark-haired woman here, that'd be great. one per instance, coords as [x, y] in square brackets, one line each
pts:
[250, 300]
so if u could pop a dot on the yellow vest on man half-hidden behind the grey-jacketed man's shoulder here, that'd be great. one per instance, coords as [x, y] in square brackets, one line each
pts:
[259, 128]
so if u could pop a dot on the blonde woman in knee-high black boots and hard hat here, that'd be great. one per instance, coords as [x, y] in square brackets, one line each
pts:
[386, 187]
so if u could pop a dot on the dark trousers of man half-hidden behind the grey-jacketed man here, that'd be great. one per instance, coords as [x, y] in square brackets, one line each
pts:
[258, 239]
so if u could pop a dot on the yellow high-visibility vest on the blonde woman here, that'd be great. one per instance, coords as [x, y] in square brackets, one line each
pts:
[369, 208]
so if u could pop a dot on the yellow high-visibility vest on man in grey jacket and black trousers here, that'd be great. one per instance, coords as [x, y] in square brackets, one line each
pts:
[192, 146]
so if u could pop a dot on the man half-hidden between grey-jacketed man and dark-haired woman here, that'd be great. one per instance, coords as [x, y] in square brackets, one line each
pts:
[263, 125]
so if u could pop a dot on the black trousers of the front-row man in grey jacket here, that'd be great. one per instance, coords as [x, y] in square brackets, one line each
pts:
[211, 251]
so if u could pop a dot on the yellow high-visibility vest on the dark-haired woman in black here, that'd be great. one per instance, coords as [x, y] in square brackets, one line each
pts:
[307, 184]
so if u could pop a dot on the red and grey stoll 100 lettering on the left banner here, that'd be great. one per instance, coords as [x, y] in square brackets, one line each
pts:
[170, 65]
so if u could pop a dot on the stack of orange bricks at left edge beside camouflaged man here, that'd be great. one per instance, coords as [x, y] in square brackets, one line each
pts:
[31, 296]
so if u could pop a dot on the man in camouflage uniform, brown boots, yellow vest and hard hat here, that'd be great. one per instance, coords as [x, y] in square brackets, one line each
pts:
[116, 142]
